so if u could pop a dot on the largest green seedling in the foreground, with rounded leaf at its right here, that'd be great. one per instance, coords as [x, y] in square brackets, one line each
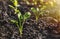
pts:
[21, 17]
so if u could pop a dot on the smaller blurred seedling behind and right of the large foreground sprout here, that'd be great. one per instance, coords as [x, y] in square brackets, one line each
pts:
[37, 12]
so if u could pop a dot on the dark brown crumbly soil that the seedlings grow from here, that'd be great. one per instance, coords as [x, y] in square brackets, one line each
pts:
[44, 28]
